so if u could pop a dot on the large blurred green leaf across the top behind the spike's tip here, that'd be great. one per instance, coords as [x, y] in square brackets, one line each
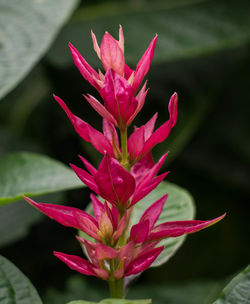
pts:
[186, 28]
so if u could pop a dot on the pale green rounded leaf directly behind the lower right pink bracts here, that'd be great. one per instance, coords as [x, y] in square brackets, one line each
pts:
[179, 206]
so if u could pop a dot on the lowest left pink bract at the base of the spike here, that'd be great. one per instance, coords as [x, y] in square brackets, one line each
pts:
[76, 263]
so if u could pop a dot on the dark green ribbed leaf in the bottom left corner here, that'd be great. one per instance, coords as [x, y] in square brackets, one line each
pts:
[15, 287]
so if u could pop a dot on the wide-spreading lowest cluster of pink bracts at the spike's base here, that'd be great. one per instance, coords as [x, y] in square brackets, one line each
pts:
[106, 227]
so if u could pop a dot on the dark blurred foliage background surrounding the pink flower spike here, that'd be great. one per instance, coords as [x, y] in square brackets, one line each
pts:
[203, 54]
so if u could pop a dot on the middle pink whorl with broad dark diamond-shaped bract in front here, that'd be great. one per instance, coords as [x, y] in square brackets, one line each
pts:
[120, 189]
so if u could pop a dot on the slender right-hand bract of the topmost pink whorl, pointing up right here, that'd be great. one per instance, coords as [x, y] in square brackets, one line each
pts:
[144, 64]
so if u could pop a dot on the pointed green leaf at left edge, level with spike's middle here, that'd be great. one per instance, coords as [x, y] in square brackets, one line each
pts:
[31, 174]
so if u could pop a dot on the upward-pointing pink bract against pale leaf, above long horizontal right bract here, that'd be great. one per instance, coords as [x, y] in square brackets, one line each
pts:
[154, 211]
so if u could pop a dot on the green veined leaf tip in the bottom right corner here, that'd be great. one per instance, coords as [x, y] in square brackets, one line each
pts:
[238, 290]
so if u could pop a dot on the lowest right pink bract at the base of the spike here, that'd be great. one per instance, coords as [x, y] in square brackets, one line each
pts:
[142, 262]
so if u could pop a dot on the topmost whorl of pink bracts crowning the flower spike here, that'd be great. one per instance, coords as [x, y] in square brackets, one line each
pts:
[119, 84]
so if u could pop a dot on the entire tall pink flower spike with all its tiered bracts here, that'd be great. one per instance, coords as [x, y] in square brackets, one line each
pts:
[126, 174]
